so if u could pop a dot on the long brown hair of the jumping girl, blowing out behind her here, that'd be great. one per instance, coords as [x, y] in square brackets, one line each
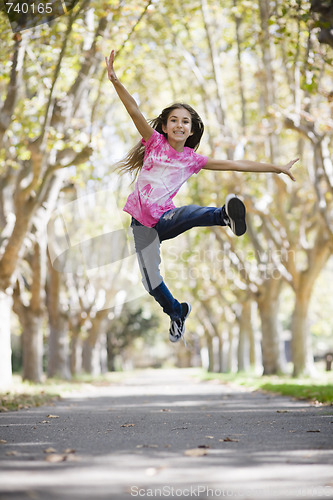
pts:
[133, 161]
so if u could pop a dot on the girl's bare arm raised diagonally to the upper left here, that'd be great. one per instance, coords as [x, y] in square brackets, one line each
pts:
[145, 130]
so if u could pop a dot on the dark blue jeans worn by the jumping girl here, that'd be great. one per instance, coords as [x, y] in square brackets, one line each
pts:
[147, 245]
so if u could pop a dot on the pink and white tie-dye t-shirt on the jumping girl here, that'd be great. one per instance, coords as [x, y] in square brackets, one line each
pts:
[163, 172]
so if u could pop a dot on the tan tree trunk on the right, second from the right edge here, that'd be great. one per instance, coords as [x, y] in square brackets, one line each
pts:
[268, 304]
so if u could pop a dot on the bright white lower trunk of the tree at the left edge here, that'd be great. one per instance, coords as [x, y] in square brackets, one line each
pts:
[5, 345]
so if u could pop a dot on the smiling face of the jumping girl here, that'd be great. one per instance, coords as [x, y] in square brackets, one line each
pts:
[178, 127]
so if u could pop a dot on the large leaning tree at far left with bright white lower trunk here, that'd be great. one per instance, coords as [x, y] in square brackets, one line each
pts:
[28, 176]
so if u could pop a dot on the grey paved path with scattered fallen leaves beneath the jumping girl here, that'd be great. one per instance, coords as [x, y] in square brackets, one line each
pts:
[163, 434]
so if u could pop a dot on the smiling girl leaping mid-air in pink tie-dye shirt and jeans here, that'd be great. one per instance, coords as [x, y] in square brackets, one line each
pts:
[162, 162]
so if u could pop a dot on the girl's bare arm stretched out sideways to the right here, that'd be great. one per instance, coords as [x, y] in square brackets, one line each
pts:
[250, 166]
